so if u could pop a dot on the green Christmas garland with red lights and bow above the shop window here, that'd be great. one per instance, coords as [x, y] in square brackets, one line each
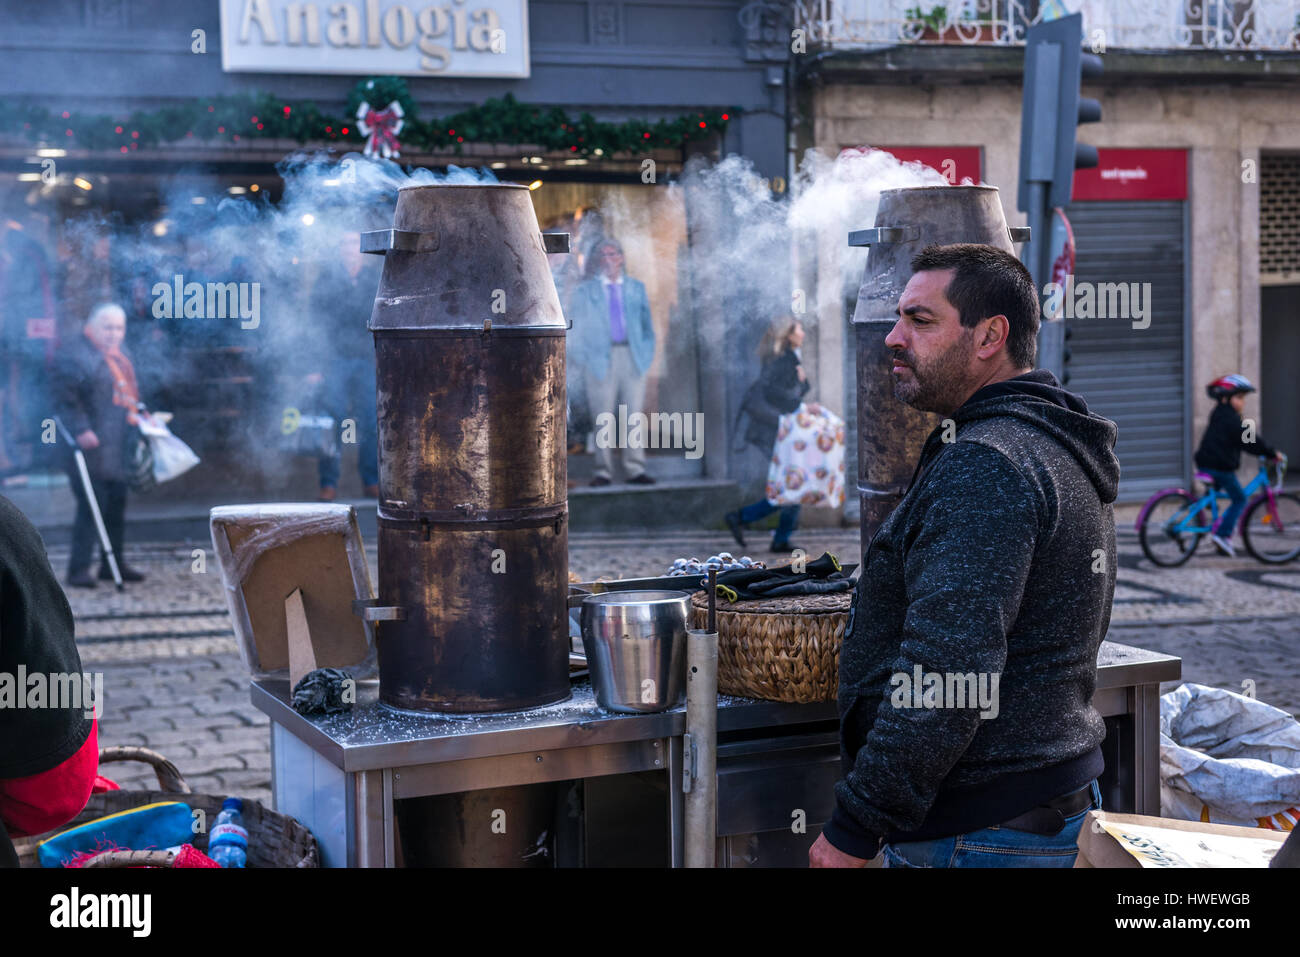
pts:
[262, 116]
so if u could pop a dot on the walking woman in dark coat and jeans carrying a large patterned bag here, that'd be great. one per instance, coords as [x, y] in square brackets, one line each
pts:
[782, 387]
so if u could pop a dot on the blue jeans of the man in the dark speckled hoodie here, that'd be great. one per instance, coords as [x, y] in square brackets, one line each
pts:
[995, 847]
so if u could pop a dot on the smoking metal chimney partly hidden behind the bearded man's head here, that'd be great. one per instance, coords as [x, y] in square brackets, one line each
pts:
[890, 434]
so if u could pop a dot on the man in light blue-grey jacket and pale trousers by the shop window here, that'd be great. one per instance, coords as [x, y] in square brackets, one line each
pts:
[613, 343]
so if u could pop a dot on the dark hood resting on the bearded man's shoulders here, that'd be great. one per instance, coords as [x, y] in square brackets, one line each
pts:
[1038, 399]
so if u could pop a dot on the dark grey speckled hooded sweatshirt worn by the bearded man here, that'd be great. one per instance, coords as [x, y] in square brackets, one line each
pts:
[987, 591]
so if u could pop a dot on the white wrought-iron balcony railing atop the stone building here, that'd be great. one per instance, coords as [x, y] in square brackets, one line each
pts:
[1149, 25]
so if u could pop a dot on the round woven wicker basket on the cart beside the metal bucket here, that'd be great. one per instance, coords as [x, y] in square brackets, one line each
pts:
[779, 649]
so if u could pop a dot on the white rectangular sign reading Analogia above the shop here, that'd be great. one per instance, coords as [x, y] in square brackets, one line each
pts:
[453, 38]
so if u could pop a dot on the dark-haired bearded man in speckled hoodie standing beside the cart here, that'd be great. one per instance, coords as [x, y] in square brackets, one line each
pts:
[967, 724]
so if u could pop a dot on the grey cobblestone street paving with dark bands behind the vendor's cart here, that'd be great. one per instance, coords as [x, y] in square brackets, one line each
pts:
[174, 679]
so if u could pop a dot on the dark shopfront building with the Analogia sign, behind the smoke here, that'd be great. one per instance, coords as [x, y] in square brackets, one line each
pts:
[618, 62]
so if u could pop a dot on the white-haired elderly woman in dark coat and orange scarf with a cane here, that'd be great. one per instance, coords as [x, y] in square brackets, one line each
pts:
[98, 400]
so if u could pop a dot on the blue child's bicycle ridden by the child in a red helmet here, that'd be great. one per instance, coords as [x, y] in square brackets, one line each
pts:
[1172, 523]
